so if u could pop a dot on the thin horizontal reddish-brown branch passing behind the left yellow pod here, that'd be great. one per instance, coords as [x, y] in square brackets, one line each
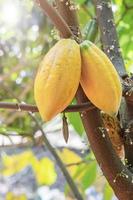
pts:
[32, 108]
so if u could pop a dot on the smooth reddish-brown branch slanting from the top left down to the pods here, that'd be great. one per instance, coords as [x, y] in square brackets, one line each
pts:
[54, 16]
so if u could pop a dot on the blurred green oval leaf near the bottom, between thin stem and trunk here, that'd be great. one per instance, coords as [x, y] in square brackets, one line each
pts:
[89, 175]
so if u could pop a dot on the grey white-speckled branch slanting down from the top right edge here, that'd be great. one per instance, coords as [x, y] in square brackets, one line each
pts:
[108, 34]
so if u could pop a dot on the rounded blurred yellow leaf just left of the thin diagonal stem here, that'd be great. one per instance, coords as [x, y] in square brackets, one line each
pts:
[45, 172]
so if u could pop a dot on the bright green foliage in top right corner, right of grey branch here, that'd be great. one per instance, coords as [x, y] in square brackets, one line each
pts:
[125, 31]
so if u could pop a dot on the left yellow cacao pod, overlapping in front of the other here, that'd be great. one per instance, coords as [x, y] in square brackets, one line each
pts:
[58, 78]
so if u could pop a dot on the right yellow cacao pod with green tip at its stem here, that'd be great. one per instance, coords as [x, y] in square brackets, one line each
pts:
[99, 79]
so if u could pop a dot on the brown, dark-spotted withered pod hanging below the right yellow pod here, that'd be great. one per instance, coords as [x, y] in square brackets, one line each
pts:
[112, 126]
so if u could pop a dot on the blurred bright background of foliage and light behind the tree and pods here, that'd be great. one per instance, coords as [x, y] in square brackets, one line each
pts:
[28, 170]
